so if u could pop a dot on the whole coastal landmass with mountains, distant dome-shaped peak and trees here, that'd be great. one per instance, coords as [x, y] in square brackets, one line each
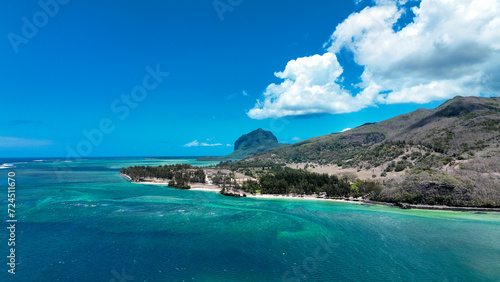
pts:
[448, 156]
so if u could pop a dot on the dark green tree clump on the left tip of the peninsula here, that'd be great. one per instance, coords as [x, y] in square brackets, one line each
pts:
[180, 175]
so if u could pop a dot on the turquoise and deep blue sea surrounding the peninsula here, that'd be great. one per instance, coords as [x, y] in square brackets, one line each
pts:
[81, 221]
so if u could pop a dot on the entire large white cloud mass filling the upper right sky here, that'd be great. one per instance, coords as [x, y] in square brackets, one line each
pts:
[451, 47]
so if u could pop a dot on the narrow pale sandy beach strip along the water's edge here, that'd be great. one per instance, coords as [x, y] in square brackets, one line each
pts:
[214, 188]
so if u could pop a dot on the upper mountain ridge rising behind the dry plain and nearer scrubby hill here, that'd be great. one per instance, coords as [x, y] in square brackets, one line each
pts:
[458, 127]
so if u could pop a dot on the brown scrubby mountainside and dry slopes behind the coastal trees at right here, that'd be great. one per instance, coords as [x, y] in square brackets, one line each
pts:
[450, 153]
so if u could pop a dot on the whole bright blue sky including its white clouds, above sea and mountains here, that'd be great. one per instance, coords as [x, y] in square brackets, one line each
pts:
[315, 67]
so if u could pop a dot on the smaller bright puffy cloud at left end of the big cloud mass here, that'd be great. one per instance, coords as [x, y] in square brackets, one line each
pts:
[310, 86]
